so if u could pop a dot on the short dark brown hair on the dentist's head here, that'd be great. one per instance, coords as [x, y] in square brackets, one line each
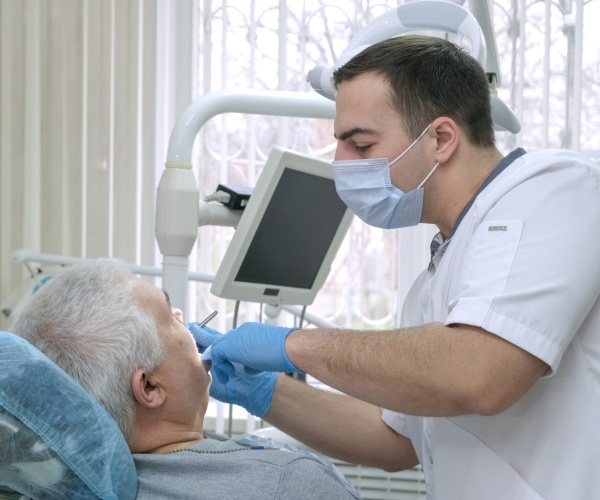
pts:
[429, 77]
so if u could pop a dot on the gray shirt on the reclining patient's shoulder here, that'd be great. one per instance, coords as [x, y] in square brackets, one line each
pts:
[225, 468]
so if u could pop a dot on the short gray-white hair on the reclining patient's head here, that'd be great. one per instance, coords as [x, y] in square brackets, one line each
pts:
[88, 321]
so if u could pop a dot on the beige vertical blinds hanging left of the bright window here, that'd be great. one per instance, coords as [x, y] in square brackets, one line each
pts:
[77, 130]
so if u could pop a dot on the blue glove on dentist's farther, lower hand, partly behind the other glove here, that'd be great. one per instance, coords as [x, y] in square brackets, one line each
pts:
[232, 382]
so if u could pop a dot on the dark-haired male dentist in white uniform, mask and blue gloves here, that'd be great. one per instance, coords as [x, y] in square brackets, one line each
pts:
[492, 383]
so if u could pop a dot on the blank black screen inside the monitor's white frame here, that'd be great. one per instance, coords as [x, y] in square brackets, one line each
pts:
[295, 232]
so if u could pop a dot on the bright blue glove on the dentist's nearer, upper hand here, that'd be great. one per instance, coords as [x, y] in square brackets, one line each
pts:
[254, 345]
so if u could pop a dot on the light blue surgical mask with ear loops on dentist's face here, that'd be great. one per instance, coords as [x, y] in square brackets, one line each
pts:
[366, 187]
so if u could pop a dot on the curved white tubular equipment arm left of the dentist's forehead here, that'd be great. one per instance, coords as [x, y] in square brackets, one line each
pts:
[179, 211]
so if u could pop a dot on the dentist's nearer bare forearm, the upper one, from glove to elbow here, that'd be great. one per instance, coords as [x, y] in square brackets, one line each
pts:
[431, 370]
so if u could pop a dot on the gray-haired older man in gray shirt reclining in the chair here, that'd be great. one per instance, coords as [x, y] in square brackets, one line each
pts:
[119, 337]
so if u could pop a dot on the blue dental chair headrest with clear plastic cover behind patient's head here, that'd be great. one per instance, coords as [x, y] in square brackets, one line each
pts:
[56, 442]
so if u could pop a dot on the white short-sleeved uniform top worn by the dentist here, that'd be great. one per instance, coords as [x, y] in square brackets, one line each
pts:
[524, 264]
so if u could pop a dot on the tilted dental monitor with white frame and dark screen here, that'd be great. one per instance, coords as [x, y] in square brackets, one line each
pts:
[288, 235]
